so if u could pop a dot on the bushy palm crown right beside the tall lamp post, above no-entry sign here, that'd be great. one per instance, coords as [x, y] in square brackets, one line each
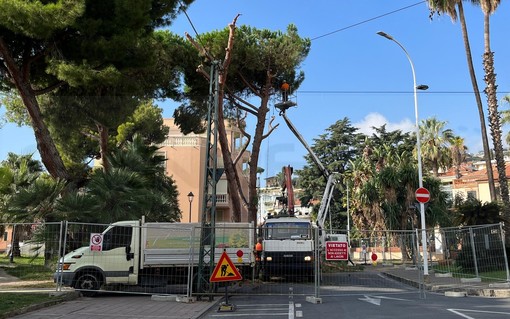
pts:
[435, 140]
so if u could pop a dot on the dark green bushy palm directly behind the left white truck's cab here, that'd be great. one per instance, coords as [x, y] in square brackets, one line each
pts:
[135, 185]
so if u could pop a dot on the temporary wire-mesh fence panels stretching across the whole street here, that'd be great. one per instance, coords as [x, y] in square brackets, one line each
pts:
[169, 262]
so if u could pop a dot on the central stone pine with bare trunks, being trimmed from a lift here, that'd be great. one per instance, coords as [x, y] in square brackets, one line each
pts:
[254, 65]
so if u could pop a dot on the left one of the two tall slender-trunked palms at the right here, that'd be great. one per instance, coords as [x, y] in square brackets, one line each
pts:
[450, 7]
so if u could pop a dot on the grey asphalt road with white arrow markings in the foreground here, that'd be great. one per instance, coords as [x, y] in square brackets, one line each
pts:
[385, 299]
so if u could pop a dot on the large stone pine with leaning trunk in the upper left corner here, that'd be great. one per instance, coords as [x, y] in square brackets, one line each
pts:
[47, 45]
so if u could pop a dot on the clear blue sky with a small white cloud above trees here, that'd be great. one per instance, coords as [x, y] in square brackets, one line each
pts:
[352, 72]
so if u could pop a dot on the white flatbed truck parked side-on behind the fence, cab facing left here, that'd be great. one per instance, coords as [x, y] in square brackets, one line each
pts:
[136, 253]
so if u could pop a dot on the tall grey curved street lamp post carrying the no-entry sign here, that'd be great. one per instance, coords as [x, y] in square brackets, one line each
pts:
[418, 145]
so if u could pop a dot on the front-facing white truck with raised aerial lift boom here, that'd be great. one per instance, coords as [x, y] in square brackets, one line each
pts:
[290, 244]
